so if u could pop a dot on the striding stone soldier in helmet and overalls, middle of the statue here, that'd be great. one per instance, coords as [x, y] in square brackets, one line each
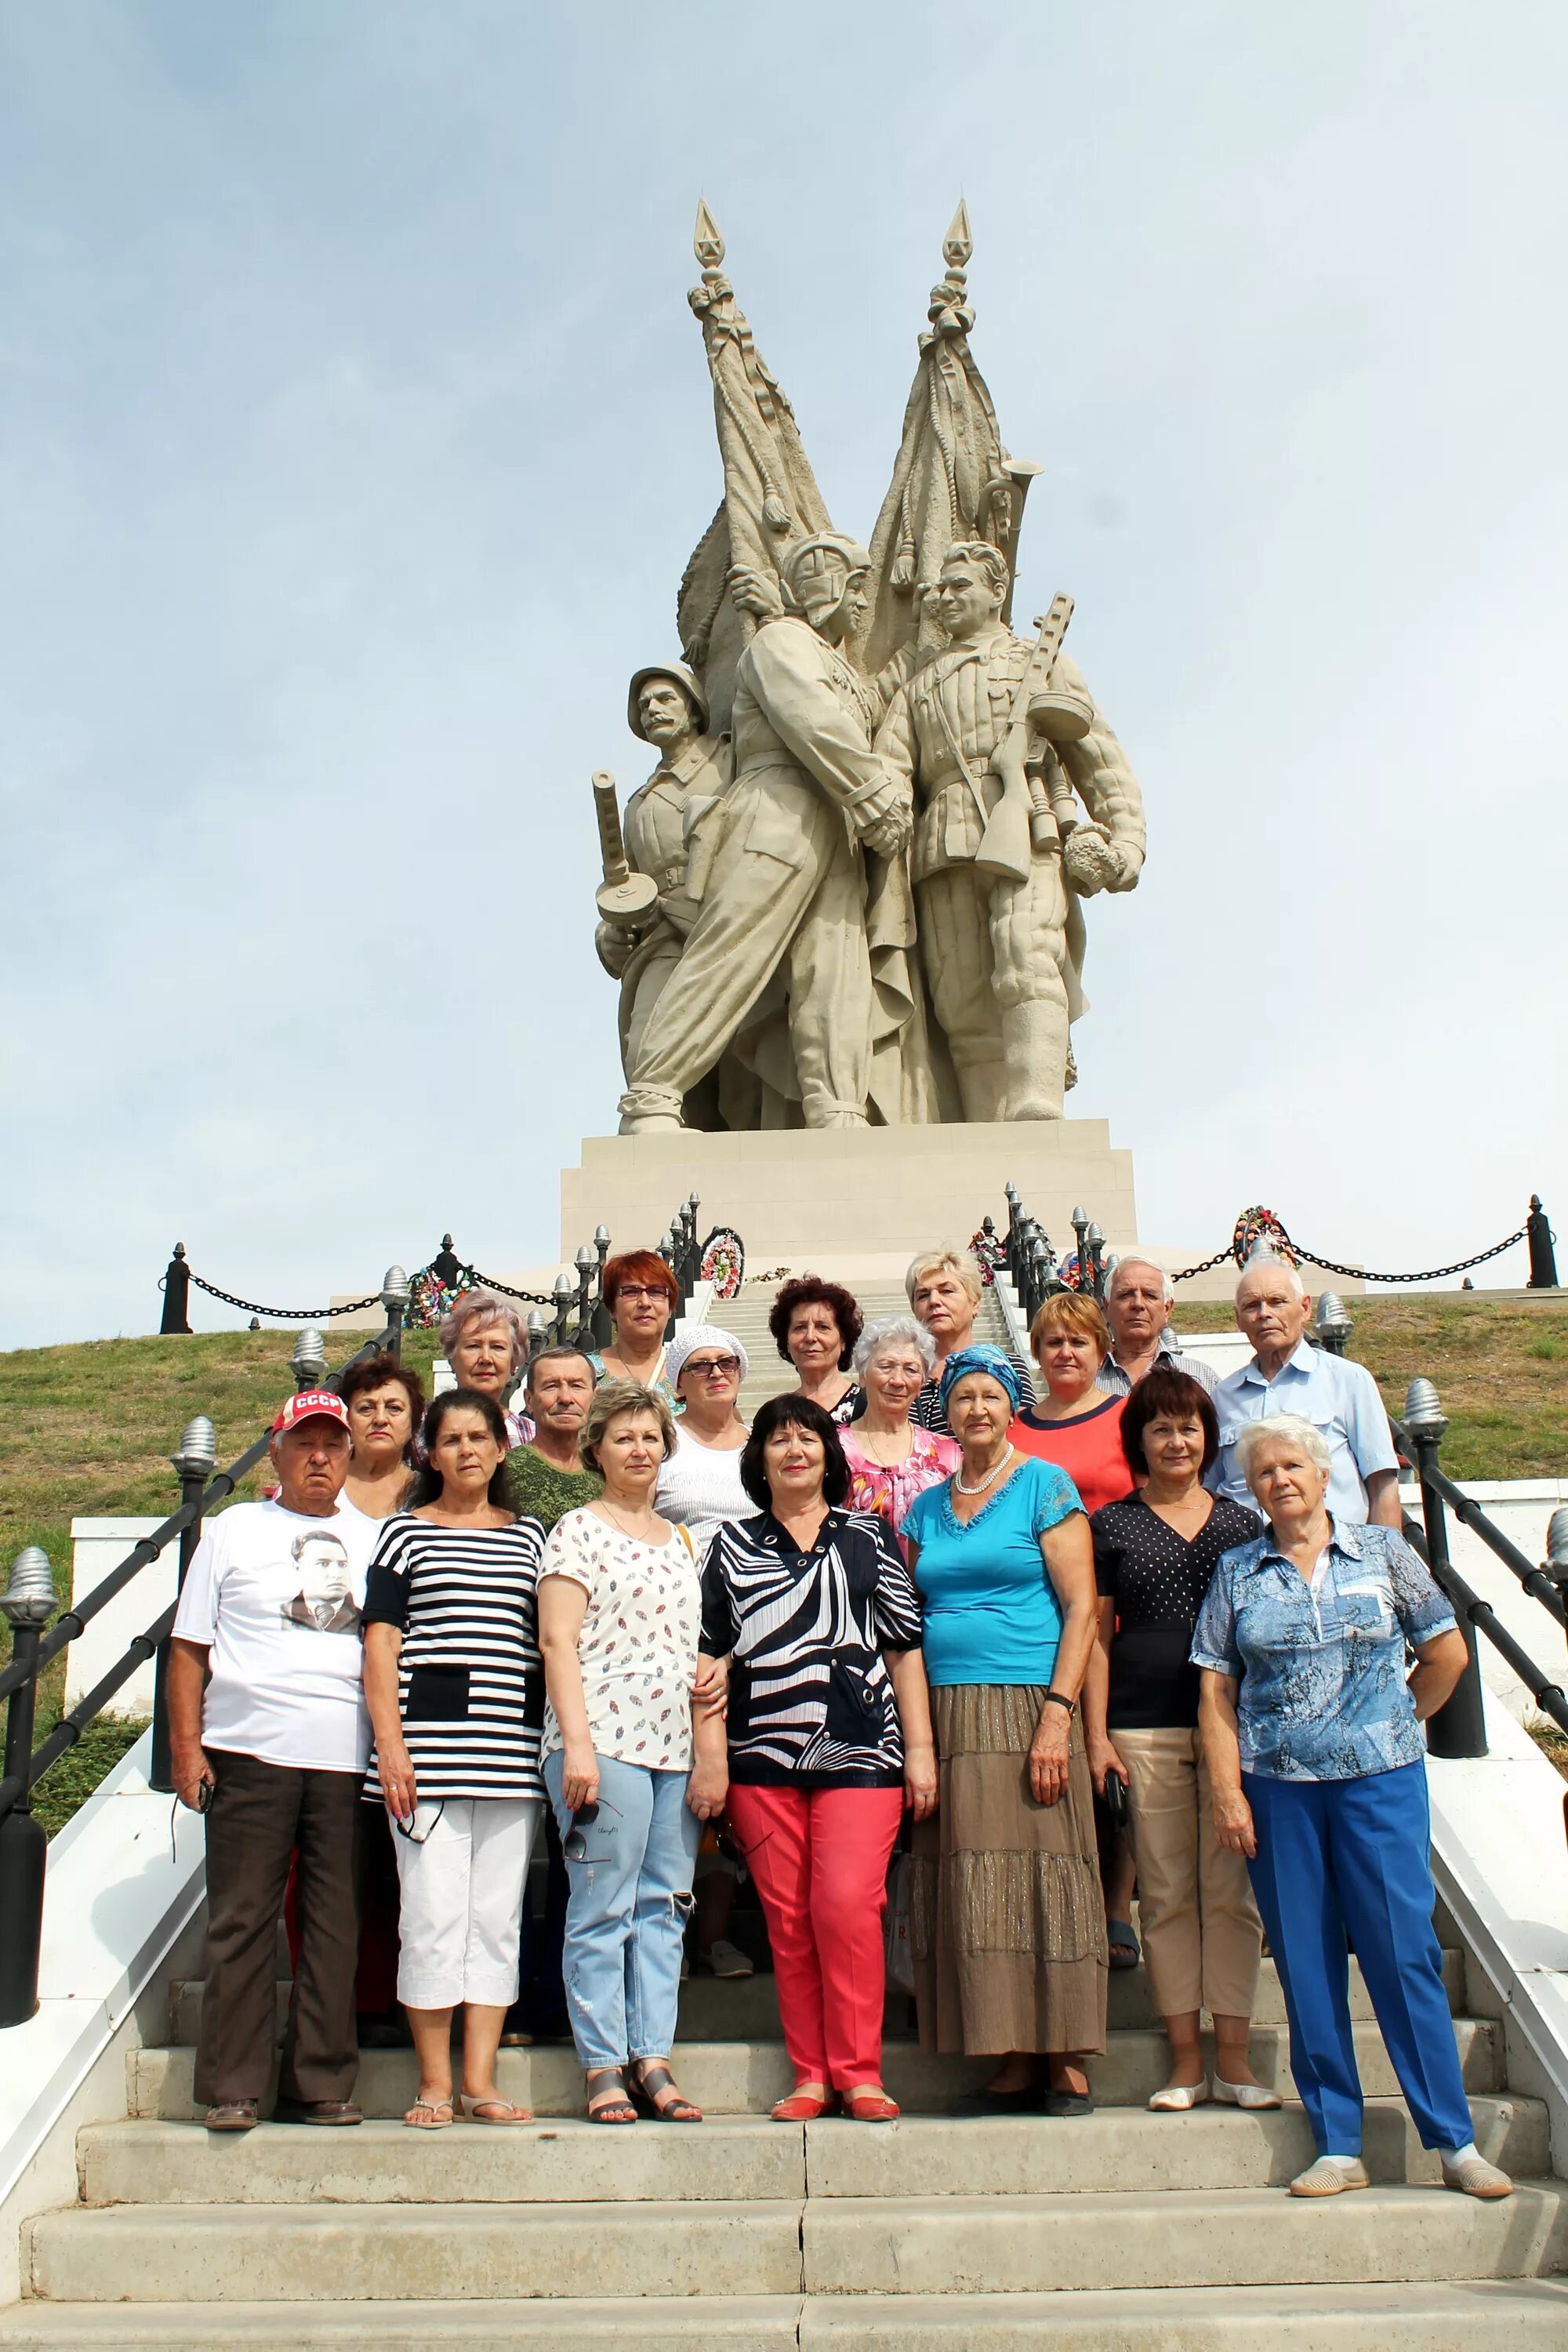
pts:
[784, 904]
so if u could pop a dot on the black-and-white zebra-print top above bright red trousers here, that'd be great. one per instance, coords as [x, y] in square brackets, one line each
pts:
[810, 1695]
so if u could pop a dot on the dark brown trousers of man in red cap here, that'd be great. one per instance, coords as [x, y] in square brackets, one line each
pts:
[257, 1822]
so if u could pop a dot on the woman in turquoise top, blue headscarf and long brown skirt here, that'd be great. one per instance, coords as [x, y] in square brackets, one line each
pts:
[1007, 1916]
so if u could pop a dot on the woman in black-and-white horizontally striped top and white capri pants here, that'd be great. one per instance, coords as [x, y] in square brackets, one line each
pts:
[455, 1690]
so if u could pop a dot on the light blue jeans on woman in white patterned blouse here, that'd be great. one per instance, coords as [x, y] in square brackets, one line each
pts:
[626, 1911]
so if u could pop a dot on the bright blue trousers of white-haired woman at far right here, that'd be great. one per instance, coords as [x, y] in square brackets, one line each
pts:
[1351, 1859]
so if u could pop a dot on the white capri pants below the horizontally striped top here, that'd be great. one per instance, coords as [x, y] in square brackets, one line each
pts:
[460, 1876]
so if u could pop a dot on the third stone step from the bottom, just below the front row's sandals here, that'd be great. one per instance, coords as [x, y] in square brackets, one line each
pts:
[1120, 2149]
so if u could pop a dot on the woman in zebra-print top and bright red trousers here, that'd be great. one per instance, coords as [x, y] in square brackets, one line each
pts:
[829, 1739]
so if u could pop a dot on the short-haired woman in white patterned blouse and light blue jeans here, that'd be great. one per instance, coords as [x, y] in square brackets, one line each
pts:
[619, 1610]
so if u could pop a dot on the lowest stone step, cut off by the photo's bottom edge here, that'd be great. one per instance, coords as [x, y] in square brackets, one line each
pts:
[1527, 2316]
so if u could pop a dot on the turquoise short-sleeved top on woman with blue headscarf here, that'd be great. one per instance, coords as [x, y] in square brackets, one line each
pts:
[991, 1608]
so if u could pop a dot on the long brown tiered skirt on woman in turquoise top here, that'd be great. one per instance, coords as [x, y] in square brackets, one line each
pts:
[1007, 1920]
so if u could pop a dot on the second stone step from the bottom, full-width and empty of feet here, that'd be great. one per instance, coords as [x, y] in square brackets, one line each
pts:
[826, 2247]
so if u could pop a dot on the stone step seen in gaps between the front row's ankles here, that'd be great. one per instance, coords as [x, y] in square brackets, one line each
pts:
[746, 2078]
